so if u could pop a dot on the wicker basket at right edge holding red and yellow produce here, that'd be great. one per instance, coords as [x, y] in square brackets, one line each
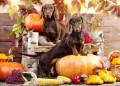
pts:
[115, 68]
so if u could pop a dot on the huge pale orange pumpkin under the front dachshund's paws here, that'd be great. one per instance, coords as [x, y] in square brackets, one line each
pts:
[77, 65]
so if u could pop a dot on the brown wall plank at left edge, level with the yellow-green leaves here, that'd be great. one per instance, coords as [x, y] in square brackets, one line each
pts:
[5, 32]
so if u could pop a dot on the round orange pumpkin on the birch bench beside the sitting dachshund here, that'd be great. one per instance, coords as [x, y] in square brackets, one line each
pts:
[32, 21]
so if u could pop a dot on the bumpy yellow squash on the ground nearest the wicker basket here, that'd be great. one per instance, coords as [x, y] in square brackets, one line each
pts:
[107, 76]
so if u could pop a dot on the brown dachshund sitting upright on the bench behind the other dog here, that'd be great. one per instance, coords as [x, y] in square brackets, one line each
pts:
[52, 30]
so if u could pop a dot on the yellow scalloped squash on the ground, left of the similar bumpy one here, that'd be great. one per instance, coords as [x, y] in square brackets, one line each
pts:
[94, 79]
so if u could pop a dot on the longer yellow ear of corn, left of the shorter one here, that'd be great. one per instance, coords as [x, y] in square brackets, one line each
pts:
[42, 81]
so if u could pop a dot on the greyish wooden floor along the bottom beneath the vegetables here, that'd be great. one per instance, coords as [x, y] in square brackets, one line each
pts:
[111, 84]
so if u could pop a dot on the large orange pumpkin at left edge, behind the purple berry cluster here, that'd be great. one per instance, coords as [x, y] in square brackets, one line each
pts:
[7, 67]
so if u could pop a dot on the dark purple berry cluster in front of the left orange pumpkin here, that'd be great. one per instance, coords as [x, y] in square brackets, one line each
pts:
[15, 77]
